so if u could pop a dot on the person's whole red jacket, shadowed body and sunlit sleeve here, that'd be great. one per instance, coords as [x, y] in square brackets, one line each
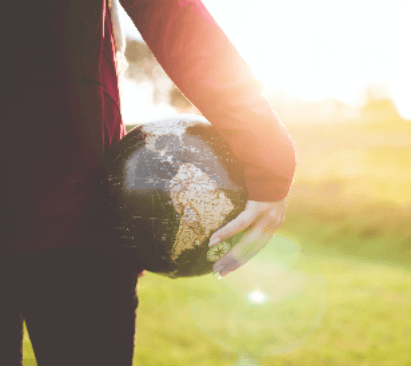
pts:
[63, 107]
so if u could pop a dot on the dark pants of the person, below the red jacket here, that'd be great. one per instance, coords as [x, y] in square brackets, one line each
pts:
[79, 305]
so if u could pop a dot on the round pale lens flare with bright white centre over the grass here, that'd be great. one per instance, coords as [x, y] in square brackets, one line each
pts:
[269, 306]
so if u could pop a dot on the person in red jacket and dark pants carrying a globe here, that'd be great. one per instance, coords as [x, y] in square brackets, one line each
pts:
[62, 112]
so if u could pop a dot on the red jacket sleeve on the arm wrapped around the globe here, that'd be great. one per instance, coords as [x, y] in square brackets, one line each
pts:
[207, 68]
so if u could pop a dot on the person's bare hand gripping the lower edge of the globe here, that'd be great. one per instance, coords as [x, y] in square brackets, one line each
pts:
[261, 219]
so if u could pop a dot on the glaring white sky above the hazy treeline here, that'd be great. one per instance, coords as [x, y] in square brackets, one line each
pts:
[321, 48]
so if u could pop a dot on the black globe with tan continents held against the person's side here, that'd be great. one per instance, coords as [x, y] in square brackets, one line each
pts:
[168, 186]
